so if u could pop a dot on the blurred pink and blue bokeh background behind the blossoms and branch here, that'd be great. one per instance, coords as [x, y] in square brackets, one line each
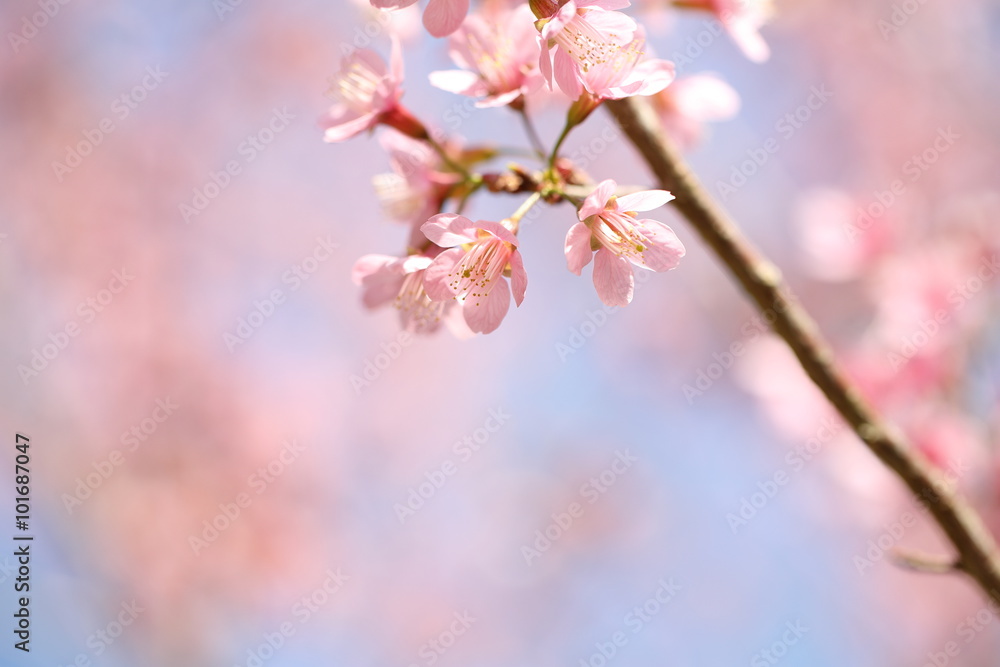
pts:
[319, 549]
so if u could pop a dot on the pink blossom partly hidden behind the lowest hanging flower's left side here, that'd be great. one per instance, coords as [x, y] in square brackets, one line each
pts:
[400, 280]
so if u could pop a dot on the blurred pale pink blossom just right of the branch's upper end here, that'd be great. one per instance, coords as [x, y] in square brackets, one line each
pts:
[691, 101]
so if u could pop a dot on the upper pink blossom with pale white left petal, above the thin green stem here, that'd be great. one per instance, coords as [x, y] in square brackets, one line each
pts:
[498, 54]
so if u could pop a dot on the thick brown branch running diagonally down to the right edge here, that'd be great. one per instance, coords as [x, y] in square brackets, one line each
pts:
[975, 546]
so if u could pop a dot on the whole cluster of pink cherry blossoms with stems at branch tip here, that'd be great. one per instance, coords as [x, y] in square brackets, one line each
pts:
[464, 272]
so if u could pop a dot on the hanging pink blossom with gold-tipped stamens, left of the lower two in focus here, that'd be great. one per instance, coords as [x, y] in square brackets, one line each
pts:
[472, 271]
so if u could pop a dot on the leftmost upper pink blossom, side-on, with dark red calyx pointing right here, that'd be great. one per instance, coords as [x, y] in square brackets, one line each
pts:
[367, 93]
